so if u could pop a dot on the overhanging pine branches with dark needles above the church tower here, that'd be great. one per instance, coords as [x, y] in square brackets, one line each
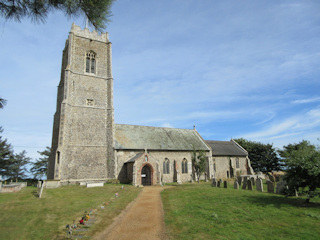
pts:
[98, 12]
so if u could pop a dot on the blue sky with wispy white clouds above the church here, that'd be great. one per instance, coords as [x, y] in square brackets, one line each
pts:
[232, 68]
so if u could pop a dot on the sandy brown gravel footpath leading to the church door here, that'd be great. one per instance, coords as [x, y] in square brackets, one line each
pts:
[142, 219]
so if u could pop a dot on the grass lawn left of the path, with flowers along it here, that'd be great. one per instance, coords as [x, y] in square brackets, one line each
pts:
[24, 216]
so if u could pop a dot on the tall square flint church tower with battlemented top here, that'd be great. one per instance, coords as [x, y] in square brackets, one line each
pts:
[83, 129]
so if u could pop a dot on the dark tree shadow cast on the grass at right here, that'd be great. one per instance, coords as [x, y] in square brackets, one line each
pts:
[280, 201]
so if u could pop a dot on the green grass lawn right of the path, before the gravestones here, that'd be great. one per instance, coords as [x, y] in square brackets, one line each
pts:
[195, 211]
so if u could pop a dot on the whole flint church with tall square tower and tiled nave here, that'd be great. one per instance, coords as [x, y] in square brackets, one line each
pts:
[87, 146]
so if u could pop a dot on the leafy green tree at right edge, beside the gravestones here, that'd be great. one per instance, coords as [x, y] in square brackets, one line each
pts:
[302, 166]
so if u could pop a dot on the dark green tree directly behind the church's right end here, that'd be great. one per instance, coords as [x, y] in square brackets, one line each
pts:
[263, 157]
